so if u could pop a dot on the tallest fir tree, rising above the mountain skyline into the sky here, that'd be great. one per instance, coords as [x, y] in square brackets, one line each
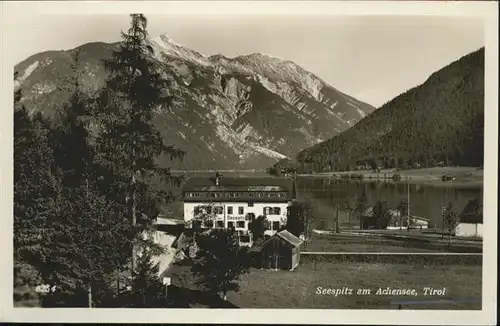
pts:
[129, 143]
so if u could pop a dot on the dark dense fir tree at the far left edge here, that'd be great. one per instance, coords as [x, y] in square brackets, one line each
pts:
[36, 196]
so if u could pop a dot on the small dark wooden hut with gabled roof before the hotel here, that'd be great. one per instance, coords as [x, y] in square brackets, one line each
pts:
[280, 251]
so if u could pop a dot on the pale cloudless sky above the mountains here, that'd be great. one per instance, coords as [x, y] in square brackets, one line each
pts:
[372, 58]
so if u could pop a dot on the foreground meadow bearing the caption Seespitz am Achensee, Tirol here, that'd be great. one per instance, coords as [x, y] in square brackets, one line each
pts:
[298, 289]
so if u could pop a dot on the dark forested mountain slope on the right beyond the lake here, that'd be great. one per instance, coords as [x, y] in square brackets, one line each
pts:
[440, 122]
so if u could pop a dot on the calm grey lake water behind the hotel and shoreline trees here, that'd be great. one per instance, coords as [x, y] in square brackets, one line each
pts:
[426, 200]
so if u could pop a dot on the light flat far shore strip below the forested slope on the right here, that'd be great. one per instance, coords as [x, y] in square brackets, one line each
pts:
[464, 176]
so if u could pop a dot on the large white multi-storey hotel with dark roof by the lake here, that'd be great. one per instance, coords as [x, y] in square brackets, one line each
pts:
[230, 202]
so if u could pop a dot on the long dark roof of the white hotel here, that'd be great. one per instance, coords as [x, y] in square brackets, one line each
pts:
[241, 184]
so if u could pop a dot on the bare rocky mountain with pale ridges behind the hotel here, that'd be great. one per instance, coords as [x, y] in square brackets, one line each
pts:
[243, 112]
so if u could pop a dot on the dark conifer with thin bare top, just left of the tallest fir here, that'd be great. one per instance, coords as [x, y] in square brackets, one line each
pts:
[93, 244]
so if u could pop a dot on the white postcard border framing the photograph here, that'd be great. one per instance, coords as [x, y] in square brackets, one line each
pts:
[487, 10]
